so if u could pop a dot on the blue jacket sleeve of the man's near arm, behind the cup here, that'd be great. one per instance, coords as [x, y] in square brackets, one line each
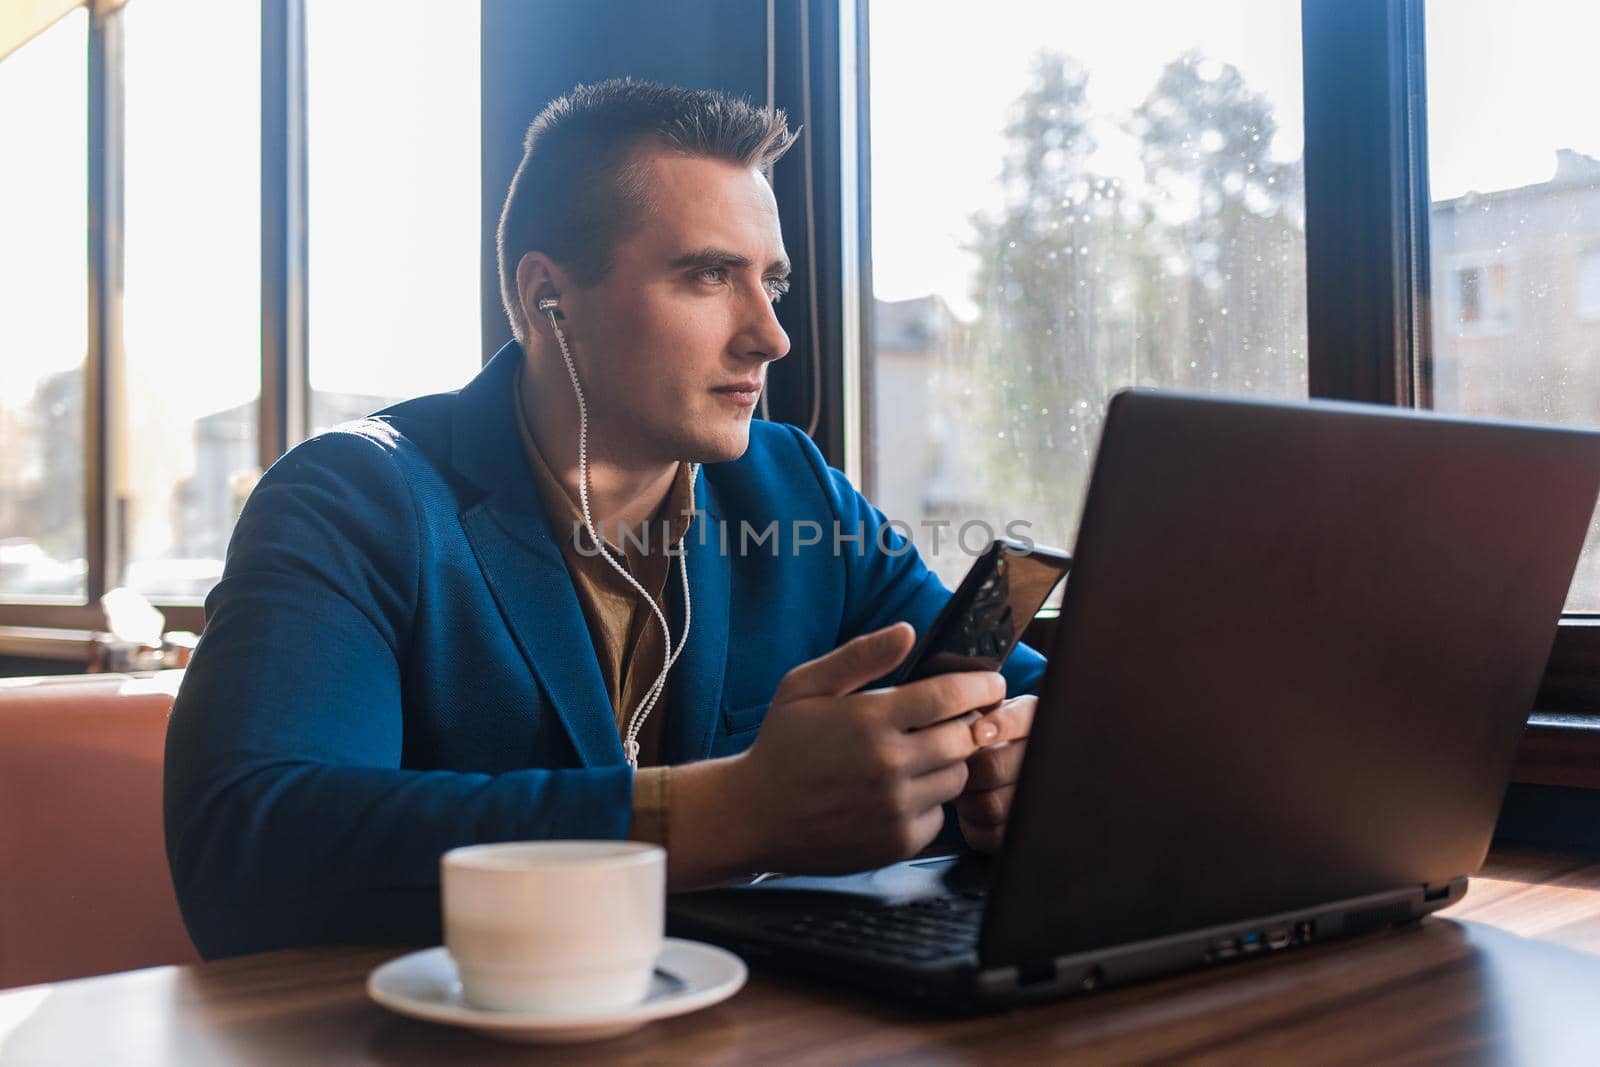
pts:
[289, 817]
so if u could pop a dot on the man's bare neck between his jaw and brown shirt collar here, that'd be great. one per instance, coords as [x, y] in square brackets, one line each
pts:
[622, 492]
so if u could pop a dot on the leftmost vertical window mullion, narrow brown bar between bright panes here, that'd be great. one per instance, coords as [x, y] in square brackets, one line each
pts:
[103, 359]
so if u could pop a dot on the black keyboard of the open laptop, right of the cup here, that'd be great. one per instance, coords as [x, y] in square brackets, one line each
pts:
[919, 932]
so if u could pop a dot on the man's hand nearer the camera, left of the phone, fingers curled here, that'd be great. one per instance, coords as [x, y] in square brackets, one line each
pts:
[844, 781]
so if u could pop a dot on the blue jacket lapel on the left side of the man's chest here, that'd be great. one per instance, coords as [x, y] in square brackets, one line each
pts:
[522, 561]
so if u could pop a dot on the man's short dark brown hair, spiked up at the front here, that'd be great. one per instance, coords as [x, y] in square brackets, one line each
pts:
[582, 188]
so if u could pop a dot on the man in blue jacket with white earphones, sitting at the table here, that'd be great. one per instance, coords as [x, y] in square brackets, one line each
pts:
[417, 645]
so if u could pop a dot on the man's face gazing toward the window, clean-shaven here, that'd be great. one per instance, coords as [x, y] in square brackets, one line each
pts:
[684, 318]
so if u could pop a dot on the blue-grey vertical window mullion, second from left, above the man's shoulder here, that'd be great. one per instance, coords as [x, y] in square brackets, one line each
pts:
[284, 356]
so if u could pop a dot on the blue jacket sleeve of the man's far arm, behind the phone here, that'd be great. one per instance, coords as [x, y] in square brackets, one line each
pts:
[887, 581]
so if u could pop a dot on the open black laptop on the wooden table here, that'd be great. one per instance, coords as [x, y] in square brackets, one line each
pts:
[1295, 657]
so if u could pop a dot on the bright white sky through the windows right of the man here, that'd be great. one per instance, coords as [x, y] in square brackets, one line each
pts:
[1510, 86]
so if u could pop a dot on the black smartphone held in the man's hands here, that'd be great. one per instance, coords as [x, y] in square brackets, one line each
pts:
[985, 618]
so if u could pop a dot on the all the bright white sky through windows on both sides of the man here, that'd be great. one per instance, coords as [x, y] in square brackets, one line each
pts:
[394, 257]
